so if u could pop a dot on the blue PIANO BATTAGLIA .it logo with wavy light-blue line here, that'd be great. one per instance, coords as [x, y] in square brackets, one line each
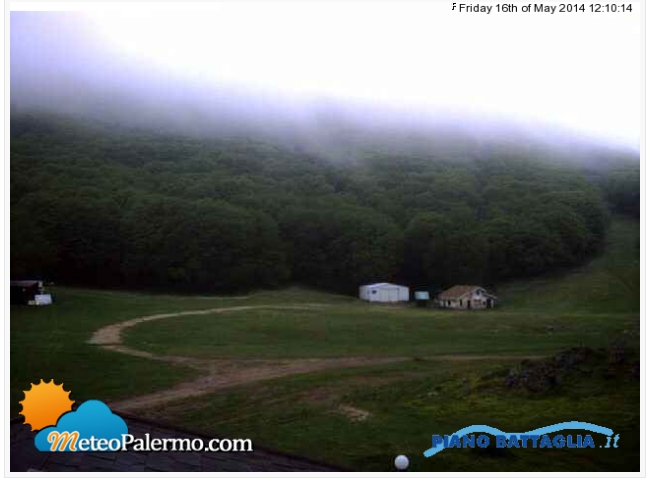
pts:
[539, 438]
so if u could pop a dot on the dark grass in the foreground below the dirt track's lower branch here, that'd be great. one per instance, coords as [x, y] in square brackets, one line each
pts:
[409, 402]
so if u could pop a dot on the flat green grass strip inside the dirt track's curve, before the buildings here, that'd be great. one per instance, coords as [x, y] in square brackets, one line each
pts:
[383, 331]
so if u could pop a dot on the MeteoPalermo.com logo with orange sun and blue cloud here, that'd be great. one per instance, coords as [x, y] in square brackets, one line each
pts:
[94, 427]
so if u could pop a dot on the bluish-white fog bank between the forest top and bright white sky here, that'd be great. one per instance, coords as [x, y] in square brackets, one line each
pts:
[64, 67]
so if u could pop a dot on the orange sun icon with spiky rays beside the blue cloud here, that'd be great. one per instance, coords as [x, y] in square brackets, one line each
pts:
[44, 404]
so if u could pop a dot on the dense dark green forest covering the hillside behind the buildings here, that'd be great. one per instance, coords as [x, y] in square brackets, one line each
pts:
[97, 205]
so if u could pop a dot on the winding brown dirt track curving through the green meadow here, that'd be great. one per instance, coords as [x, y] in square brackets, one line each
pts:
[216, 374]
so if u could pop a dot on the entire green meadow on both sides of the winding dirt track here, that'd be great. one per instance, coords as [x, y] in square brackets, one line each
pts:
[362, 417]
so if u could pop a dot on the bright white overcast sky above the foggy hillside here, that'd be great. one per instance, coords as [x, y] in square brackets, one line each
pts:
[577, 71]
